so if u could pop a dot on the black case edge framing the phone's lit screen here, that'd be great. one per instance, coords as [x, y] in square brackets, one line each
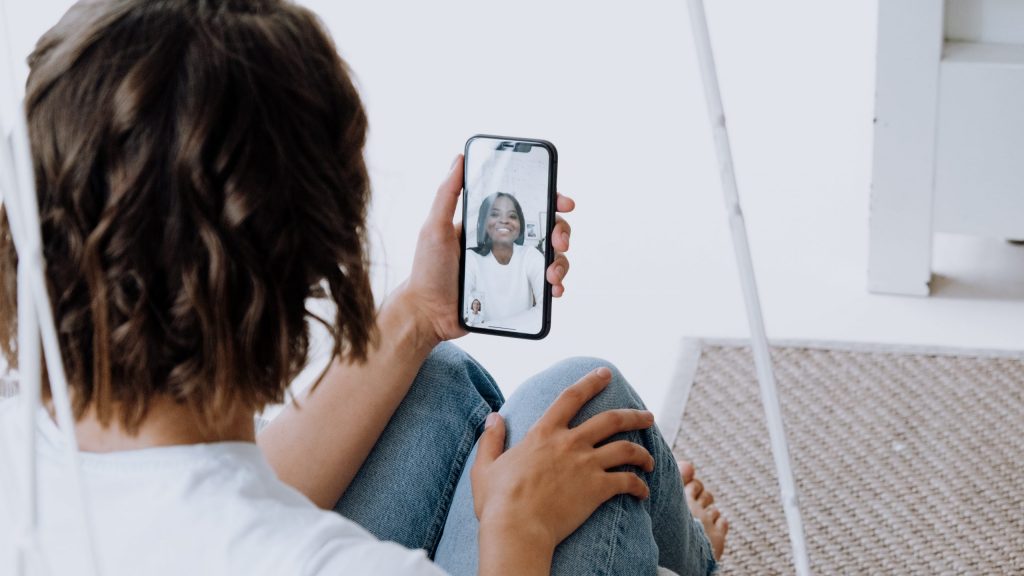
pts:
[549, 251]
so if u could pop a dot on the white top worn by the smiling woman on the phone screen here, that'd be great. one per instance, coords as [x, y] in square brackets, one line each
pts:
[506, 291]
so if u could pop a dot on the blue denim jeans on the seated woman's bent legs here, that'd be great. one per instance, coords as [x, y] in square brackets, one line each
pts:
[414, 489]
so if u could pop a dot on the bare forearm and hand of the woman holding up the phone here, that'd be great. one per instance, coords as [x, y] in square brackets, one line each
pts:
[319, 446]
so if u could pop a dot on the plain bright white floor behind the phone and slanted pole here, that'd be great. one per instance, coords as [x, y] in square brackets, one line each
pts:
[616, 88]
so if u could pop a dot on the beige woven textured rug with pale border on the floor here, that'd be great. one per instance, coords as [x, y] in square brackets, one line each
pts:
[908, 462]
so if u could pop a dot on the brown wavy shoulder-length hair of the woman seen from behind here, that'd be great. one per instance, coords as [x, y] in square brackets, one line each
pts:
[200, 175]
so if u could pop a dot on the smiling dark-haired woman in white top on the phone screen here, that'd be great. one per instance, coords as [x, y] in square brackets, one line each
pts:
[511, 275]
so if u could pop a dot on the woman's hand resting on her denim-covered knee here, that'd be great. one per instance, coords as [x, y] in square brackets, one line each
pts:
[533, 497]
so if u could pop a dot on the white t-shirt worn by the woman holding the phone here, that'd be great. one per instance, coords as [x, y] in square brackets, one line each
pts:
[212, 509]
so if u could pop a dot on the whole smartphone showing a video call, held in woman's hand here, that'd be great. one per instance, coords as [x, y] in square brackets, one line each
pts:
[508, 213]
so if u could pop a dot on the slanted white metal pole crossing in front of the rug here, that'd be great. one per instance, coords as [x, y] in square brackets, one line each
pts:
[759, 339]
